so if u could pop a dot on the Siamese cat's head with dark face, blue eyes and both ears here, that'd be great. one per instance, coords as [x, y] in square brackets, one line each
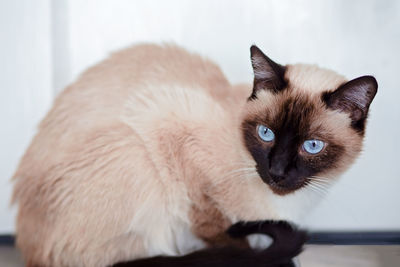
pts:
[303, 123]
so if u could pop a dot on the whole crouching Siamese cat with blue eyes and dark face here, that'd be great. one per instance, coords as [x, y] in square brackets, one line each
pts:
[153, 152]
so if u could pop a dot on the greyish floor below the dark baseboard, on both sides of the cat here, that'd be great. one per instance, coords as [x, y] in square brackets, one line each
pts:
[313, 256]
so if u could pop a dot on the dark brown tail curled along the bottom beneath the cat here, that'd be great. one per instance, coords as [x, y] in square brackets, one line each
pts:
[287, 244]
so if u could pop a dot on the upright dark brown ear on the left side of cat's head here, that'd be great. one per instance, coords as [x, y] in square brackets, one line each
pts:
[268, 75]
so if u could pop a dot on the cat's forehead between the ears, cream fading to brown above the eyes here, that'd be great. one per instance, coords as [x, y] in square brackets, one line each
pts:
[300, 104]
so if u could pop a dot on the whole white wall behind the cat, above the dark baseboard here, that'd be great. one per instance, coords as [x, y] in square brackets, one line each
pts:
[351, 37]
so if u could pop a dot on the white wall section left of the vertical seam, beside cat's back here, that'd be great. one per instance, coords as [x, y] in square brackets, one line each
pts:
[25, 86]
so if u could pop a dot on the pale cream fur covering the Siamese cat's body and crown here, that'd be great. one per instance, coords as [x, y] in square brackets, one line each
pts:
[129, 150]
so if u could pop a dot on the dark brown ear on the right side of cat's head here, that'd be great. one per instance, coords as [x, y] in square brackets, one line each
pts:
[354, 98]
